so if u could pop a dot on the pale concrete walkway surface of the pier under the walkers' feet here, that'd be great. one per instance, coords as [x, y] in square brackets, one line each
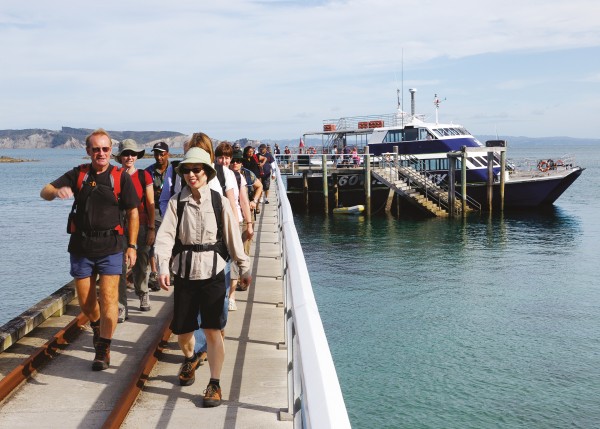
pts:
[66, 393]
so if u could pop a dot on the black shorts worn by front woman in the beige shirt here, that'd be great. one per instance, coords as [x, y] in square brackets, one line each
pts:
[193, 296]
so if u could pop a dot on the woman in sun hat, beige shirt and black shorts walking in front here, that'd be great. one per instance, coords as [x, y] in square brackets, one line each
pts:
[199, 271]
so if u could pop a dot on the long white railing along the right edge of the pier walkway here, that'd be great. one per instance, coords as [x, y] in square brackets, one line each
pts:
[314, 395]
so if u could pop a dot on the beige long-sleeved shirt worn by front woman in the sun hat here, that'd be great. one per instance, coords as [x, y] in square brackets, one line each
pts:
[199, 226]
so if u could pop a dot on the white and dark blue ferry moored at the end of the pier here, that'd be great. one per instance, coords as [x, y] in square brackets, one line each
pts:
[427, 145]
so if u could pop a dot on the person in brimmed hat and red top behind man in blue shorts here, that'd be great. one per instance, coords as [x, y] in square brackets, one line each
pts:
[127, 155]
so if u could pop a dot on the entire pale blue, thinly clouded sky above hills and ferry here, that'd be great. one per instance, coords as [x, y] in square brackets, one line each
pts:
[275, 69]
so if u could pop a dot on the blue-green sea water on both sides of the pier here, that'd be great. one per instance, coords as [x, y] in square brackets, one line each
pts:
[488, 322]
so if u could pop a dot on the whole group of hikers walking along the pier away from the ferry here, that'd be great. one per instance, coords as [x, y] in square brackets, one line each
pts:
[186, 224]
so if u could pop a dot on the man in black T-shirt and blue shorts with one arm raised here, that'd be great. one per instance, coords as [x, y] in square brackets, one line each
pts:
[102, 191]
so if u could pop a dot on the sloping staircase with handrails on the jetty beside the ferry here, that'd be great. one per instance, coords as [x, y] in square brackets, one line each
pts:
[417, 189]
